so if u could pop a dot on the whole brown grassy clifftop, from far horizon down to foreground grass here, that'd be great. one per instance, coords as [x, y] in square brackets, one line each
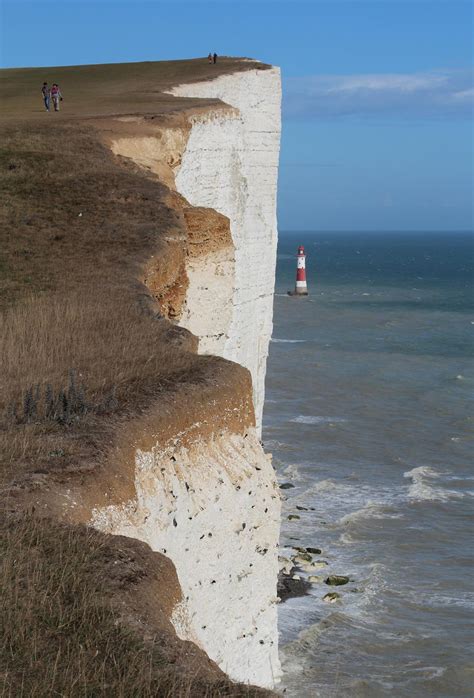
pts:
[86, 355]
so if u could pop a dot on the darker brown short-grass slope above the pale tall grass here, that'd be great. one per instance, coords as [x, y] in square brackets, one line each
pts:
[72, 218]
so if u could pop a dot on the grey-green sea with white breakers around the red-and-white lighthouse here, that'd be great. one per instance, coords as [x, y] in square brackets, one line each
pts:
[369, 416]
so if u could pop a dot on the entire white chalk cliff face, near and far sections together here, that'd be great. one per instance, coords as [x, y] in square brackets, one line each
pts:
[206, 496]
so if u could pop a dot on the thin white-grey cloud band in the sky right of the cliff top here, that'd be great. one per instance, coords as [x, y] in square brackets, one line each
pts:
[434, 94]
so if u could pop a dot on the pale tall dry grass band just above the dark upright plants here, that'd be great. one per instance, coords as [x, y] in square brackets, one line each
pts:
[43, 340]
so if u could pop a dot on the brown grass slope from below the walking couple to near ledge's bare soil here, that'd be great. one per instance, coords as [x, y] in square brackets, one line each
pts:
[72, 301]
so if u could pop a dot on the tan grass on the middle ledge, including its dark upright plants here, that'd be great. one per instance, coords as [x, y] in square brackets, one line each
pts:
[72, 369]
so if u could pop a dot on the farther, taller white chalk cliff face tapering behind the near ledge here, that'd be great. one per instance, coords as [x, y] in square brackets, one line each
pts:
[230, 164]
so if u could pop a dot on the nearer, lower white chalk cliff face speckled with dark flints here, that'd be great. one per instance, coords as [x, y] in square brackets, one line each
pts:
[213, 508]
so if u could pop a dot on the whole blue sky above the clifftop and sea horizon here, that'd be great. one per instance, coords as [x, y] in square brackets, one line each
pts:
[378, 94]
